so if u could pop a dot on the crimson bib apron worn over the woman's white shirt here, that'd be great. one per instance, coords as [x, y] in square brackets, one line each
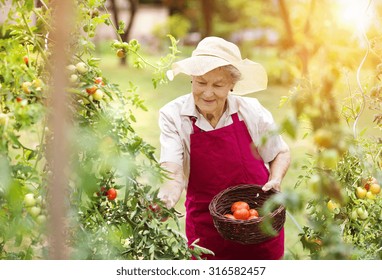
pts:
[219, 159]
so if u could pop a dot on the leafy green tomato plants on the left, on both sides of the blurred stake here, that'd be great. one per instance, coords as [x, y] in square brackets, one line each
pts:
[106, 152]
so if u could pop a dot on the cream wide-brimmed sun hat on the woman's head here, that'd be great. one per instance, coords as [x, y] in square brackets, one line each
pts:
[213, 52]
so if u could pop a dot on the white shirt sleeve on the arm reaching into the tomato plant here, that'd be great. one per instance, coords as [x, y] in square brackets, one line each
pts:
[170, 140]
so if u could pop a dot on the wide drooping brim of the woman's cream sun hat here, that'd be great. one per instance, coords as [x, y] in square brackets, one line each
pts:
[253, 75]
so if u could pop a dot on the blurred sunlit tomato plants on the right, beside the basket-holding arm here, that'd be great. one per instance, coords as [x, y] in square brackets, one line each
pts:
[342, 161]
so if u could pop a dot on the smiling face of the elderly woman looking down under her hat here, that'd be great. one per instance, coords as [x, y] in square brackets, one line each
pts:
[211, 90]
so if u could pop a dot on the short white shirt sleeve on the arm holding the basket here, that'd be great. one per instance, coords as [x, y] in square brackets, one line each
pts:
[264, 132]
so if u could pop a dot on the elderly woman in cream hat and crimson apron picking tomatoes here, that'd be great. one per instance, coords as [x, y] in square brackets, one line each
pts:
[213, 138]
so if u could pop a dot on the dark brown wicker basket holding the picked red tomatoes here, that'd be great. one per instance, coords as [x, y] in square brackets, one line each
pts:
[244, 232]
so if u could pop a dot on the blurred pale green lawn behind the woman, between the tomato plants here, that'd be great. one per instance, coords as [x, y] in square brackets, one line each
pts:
[147, 127]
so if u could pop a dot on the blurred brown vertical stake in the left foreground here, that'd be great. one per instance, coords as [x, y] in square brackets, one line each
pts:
[58, 117]
